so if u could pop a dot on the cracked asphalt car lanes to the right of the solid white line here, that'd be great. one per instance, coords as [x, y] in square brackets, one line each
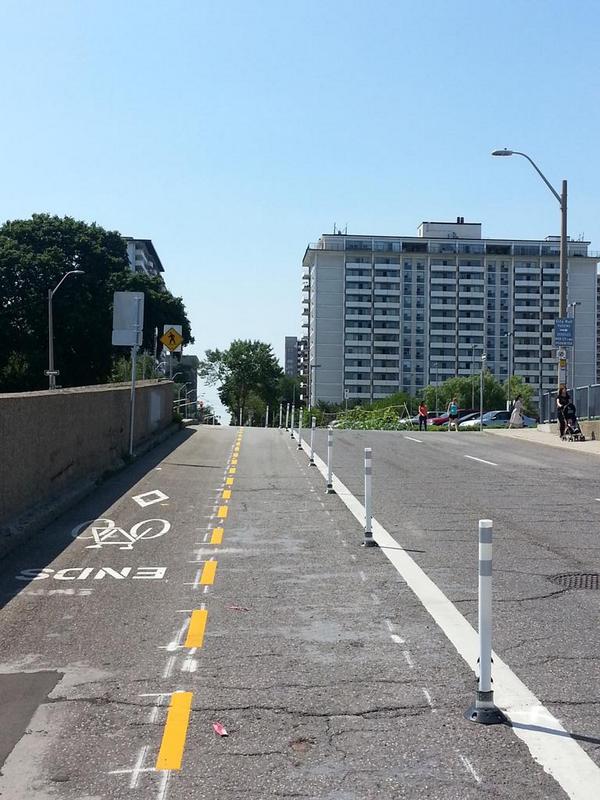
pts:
[430, 490]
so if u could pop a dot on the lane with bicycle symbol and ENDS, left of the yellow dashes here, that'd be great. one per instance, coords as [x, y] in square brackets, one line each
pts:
[103, 614]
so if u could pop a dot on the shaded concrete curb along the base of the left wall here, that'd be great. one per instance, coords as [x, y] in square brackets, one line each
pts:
[19, 530]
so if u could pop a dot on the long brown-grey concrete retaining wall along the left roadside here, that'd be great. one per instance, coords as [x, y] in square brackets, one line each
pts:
[51, 440]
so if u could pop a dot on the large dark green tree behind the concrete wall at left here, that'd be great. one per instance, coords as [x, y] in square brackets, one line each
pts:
[34, 255]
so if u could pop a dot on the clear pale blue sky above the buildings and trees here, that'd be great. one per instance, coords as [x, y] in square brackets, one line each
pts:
[233, 133]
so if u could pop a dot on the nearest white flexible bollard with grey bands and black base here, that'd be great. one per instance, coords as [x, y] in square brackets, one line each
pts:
[484, 711]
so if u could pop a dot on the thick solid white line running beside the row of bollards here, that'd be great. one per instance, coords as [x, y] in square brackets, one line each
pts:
[548, 742]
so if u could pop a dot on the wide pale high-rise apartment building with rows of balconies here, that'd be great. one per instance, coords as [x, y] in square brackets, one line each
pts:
[389, 313]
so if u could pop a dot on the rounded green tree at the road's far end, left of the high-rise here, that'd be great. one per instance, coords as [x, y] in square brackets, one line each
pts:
[246, 372]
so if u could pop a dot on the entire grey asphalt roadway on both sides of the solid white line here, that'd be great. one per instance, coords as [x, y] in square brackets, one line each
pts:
[126, 639]
